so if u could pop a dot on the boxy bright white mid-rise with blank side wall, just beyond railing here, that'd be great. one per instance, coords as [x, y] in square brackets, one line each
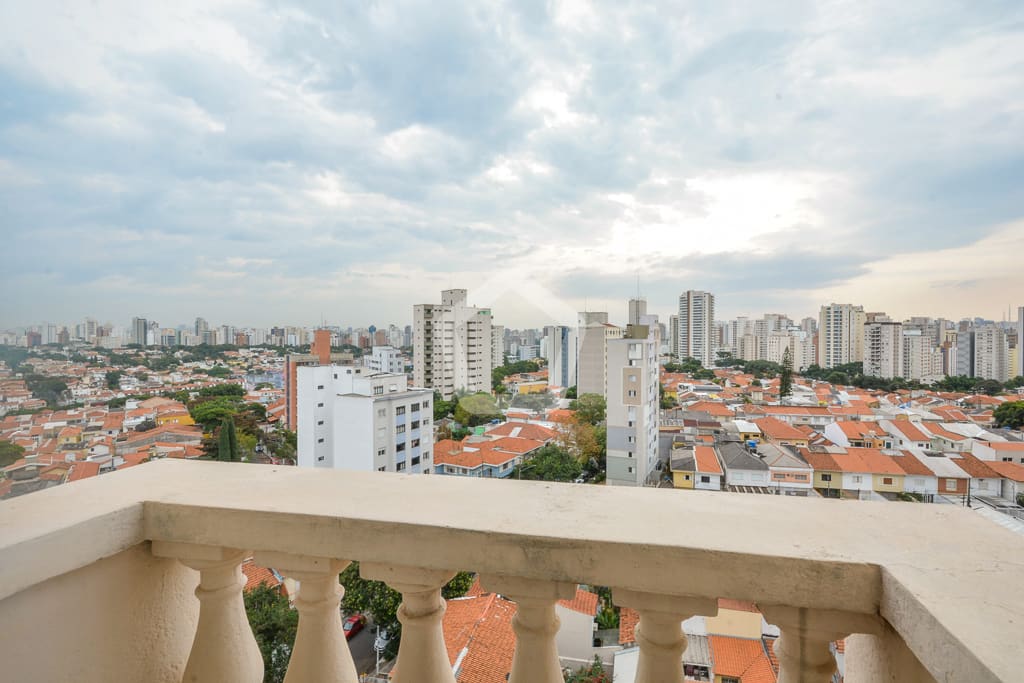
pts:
[351, 418]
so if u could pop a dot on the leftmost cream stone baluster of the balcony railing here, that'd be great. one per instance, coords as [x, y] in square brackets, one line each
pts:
[225, 650]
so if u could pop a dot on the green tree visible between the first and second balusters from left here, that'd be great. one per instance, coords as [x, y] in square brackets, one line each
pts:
[275, 625]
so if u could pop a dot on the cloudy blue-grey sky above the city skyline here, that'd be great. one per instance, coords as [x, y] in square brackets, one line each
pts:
[262, 163]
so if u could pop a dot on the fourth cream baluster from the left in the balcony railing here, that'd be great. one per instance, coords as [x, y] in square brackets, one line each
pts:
[536, 626]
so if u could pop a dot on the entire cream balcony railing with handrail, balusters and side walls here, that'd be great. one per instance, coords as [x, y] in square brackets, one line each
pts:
[98, 577]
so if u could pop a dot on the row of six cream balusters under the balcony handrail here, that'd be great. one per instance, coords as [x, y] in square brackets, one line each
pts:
[226, 652]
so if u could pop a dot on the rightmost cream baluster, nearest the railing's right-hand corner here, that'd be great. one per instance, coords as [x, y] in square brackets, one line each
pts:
[803, 649]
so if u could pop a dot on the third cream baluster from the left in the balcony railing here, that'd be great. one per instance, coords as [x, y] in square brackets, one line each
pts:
[422, 656]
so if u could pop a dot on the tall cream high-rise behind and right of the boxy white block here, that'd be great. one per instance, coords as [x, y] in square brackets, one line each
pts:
[453, 346]
